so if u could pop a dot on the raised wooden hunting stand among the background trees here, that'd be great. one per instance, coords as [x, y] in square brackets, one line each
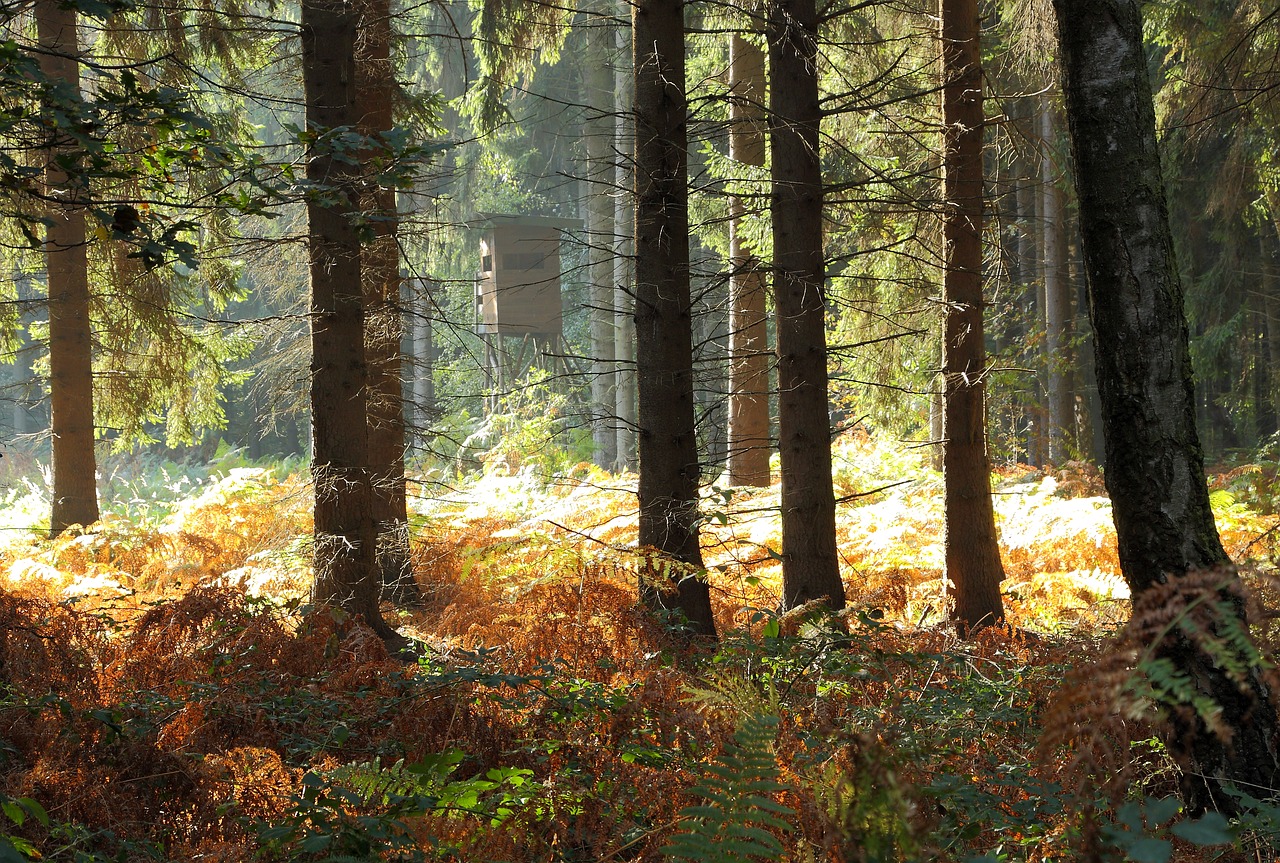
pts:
[519, 312]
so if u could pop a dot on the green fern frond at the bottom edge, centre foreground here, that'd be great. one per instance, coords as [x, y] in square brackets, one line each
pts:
[734, 823]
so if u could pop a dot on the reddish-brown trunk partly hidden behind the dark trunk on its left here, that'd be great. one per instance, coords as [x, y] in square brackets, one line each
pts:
[380, 270]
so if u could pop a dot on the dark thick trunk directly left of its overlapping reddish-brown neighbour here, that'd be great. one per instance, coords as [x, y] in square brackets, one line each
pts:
[346, 536]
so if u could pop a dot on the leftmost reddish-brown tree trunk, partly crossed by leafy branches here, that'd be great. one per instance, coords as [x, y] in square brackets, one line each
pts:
[71, 336]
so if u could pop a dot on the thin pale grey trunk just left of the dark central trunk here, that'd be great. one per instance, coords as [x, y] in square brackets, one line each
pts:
[624, 259]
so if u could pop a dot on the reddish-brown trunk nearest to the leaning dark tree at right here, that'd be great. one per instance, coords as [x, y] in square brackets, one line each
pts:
[972, 550]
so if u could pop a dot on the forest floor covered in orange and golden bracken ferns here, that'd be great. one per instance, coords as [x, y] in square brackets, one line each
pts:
[170, 696]
